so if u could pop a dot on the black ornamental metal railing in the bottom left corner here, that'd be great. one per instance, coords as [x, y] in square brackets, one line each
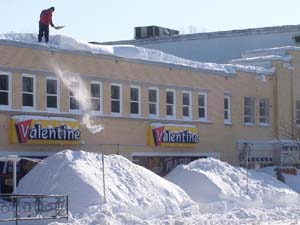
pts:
[33, 207]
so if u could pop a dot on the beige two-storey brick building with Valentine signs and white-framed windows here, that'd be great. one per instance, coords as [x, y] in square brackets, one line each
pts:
[227, 113]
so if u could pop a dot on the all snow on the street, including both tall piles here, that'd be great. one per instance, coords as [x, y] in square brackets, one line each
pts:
[206, 191]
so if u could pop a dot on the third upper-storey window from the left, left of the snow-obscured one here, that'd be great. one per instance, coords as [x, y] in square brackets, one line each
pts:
[52, 93]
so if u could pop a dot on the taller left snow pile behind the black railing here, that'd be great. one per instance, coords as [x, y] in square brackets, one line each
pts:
[130, 189]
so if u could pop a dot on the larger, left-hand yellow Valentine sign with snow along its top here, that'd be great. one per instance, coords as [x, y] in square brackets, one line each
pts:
[44, 130]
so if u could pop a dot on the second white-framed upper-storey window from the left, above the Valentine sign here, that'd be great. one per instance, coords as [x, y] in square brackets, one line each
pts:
[28, 89]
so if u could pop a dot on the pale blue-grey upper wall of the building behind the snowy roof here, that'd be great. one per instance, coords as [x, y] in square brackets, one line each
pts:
[221, 46]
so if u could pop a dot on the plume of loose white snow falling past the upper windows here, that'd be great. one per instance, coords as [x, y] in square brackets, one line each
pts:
[82, 95]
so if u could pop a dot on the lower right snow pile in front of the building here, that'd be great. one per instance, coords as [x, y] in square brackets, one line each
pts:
[217, 185]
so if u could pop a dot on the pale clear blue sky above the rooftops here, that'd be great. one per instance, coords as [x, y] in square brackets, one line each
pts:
[97, 20]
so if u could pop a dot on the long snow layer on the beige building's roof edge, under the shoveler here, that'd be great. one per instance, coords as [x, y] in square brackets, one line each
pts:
[132, 52]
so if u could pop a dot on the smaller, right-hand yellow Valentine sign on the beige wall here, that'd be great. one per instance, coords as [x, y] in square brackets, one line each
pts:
[169, 135]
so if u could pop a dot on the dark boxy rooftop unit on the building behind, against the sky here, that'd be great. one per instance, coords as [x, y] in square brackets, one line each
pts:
[153, 31]
